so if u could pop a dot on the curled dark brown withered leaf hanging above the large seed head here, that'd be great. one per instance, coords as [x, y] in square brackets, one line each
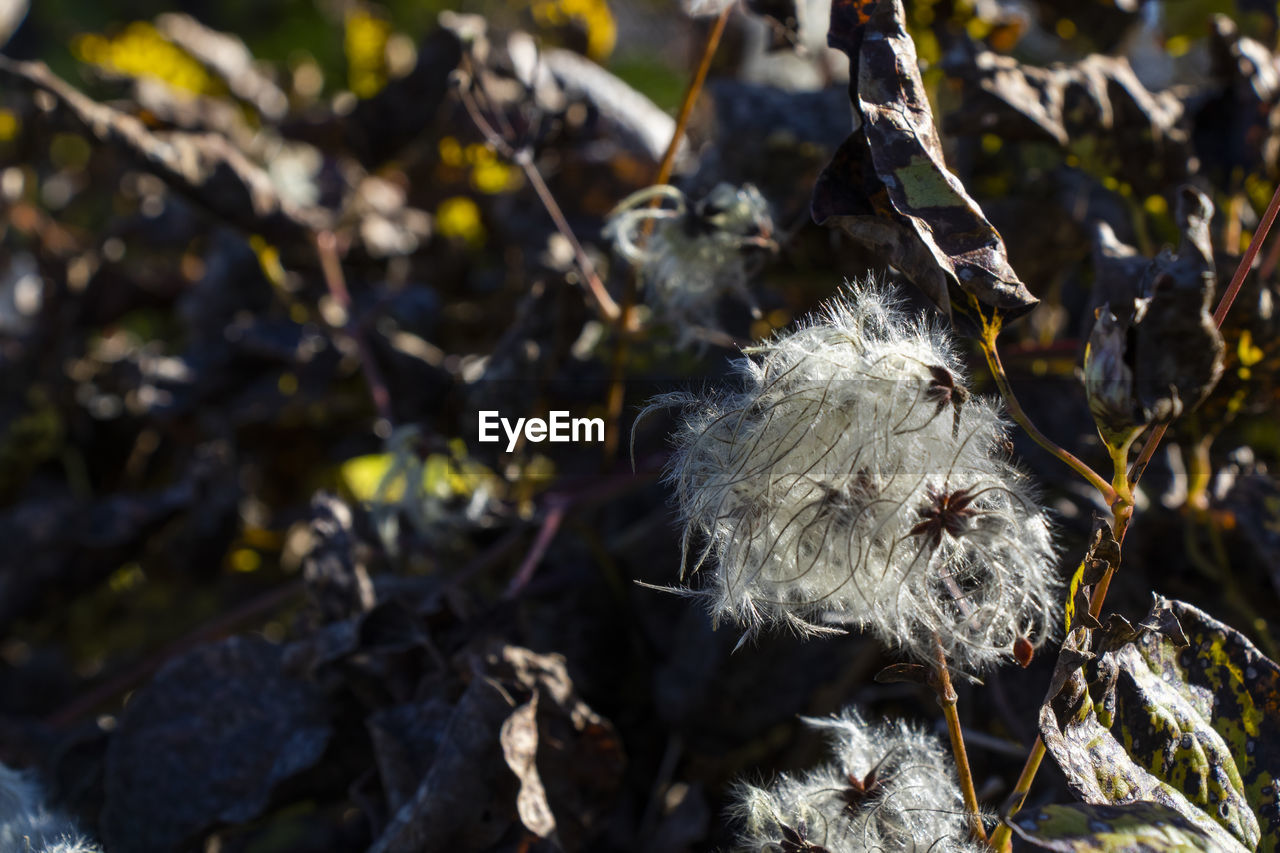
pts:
[889, 186]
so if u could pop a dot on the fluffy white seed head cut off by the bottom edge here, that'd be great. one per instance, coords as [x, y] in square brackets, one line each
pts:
[892, 788]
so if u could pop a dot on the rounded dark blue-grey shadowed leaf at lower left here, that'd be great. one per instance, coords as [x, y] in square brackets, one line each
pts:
[207, 742]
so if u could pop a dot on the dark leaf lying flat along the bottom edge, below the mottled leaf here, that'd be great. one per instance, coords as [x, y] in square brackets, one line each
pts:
[1136, 828]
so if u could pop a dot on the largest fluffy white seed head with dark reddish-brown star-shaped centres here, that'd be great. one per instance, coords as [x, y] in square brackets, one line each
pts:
[853, 481]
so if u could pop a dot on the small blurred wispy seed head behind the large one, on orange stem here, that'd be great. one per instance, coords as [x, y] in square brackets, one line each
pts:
[696, 253]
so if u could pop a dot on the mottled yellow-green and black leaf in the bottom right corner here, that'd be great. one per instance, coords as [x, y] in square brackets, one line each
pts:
[1192, 727]
